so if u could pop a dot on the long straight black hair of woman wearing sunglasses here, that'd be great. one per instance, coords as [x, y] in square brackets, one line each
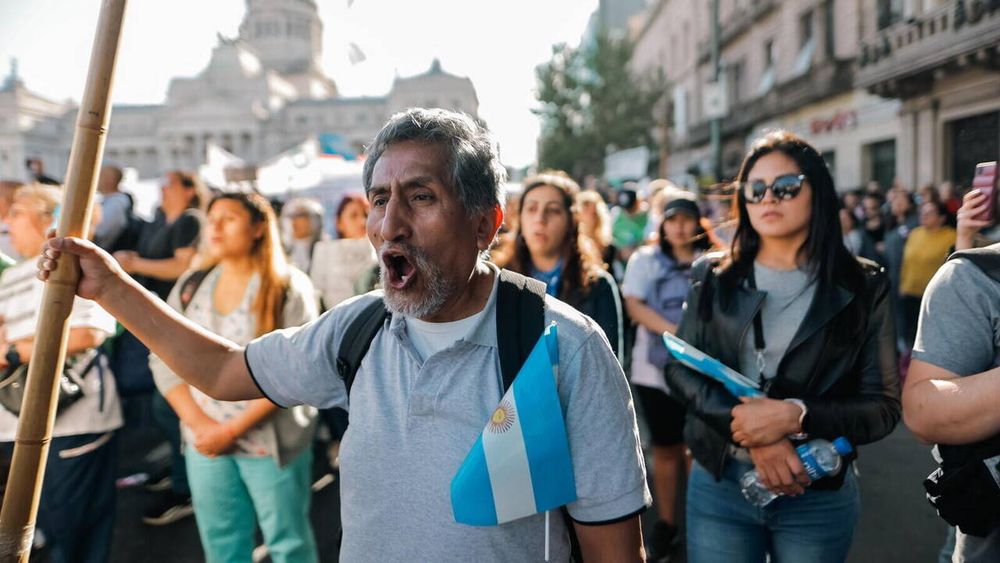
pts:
[823, 250]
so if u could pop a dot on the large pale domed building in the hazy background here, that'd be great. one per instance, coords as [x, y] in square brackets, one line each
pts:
[260, 94]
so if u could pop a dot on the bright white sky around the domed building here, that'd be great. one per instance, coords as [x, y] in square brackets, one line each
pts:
[496, 44]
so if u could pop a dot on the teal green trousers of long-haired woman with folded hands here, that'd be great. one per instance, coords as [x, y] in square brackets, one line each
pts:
[232, 493]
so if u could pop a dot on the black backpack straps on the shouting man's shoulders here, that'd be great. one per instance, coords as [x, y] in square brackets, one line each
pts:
[522, 298]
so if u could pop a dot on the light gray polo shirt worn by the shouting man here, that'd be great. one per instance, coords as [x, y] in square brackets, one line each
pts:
[412, 424]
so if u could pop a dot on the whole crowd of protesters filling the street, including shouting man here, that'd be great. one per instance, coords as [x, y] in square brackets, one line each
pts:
[817, 296]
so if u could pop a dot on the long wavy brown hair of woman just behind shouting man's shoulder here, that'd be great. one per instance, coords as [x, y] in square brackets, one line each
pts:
[577, 263]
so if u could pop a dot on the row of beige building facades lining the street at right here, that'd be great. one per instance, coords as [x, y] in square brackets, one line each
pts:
[820, 69]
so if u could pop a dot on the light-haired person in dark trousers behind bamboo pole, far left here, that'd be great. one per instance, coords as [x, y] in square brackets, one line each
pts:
[77, 507]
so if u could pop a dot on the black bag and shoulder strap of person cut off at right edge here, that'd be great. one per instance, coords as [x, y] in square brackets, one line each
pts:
[963, 488]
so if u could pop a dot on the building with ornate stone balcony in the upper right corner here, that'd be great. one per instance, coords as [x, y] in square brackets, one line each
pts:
[941, 60]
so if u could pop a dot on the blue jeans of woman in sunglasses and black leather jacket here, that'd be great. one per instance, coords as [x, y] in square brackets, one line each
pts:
[722, 527]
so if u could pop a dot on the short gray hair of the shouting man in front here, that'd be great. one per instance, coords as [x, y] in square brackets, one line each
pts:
[477, 175]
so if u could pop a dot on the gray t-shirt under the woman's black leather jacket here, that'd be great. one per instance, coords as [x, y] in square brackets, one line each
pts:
[789, 295]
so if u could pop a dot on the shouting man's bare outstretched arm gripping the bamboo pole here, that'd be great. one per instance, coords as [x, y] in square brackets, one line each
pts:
[207, 361]
